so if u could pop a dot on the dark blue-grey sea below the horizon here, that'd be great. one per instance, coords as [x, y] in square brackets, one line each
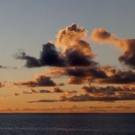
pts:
[67, 124]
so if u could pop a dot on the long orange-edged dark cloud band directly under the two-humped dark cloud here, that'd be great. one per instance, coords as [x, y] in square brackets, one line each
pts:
[100, 75]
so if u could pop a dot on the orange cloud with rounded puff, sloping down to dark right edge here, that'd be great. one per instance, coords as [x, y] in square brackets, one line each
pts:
[127, 45]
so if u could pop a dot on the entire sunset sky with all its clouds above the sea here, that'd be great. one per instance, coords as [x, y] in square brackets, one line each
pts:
[67, 56]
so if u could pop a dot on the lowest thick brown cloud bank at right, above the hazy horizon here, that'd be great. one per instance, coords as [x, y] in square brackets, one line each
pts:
[96, 93]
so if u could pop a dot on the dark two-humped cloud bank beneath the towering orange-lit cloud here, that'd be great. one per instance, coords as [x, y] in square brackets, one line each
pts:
[51, 57]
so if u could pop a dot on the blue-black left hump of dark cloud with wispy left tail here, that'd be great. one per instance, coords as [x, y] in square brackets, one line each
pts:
[48, 57]
